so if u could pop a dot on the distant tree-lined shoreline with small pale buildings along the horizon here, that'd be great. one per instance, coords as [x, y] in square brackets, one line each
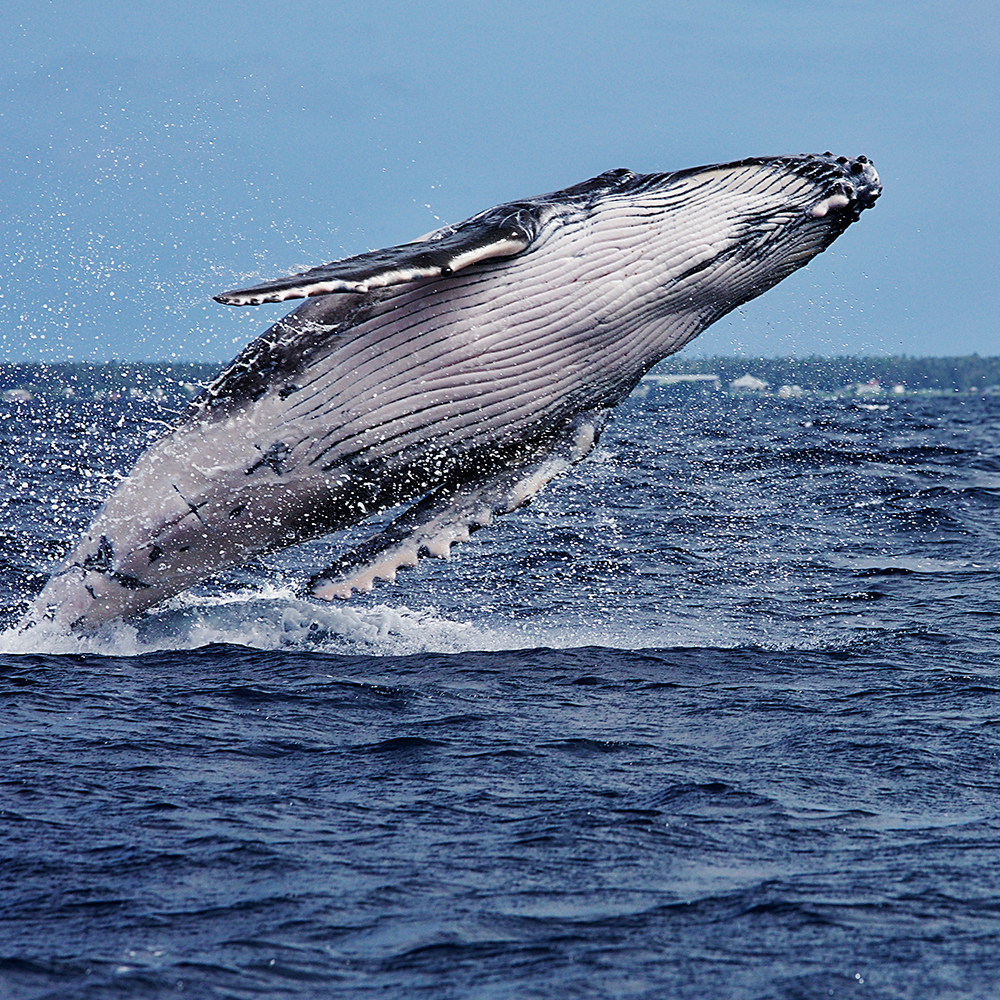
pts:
[784, 377]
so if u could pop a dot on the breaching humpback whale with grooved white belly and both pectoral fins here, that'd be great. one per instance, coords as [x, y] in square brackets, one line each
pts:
[463, 370]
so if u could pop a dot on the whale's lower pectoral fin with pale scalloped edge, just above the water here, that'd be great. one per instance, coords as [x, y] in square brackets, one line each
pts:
[451, 513]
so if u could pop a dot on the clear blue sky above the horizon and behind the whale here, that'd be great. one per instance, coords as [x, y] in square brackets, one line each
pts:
[153, 155]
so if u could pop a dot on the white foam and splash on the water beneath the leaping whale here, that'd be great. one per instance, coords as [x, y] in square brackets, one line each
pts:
[274, 617]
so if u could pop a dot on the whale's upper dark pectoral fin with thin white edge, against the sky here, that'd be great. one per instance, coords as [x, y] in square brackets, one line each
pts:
[501, 232]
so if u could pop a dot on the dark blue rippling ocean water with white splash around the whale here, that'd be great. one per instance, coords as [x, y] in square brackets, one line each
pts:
[718, 716]
